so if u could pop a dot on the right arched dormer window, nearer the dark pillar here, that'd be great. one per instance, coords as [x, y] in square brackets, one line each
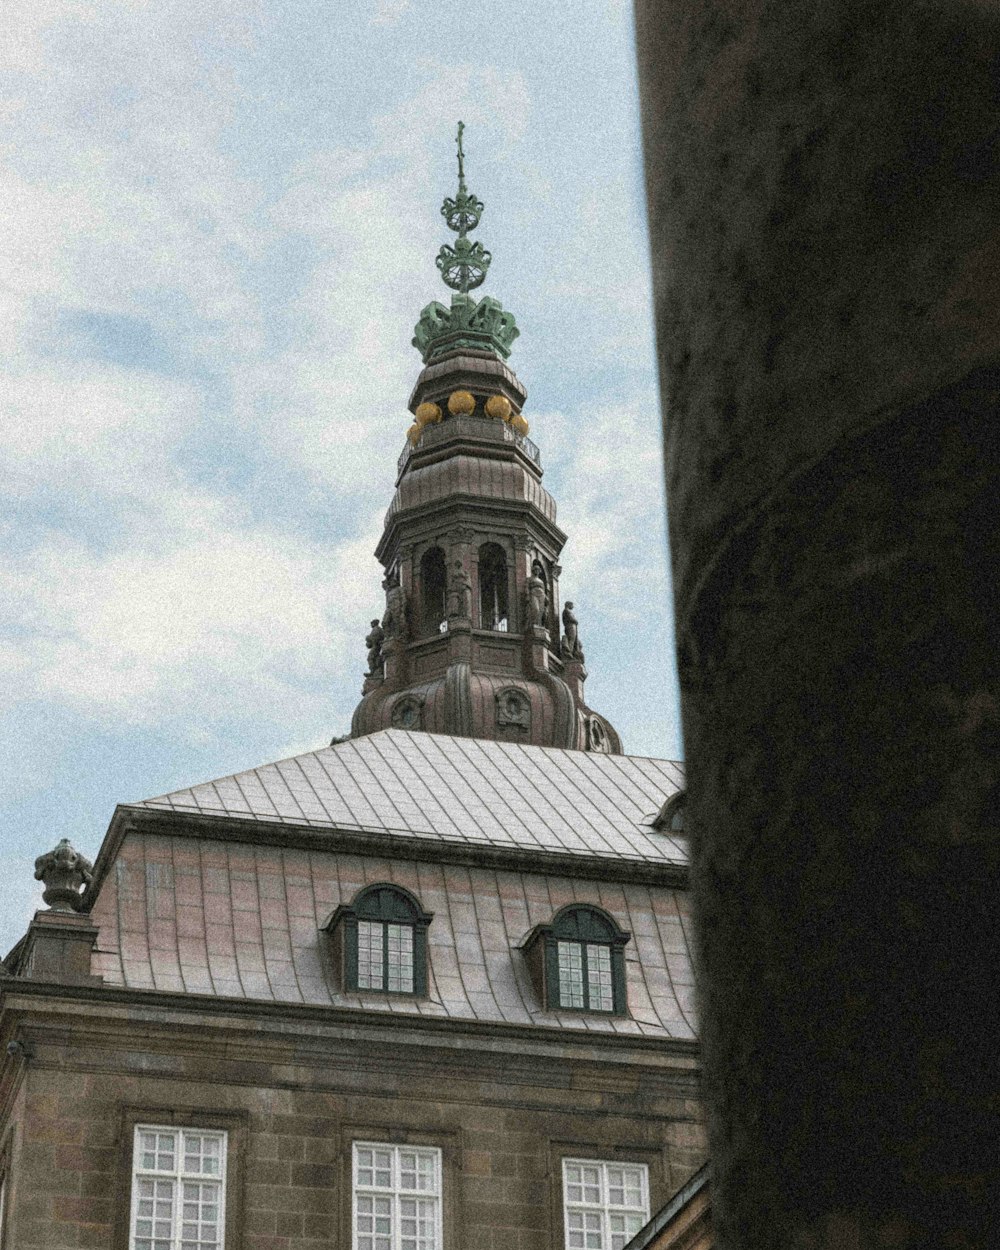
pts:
[578, 962]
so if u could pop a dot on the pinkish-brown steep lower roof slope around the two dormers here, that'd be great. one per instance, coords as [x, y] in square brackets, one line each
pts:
[243, 922]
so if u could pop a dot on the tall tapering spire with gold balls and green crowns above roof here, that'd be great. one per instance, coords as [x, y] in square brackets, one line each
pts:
[471, 642]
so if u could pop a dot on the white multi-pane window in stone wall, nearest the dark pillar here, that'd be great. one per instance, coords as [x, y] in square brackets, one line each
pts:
[604, 1204]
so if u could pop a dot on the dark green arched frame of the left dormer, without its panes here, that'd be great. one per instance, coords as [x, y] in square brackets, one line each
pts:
[387, 906]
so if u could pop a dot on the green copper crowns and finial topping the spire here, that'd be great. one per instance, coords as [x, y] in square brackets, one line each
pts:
[484, 326]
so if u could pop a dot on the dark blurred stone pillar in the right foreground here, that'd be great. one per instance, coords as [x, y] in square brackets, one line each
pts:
[824, 201]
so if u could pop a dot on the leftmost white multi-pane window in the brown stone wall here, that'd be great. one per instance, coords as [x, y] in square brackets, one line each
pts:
[178, 1189]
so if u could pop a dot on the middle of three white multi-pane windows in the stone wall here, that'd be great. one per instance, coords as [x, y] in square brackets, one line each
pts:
[397, 1198]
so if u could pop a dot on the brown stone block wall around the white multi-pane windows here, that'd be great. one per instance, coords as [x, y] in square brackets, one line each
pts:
[294, 1101]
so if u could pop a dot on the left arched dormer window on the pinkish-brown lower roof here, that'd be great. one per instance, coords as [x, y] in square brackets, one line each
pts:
[381, 942]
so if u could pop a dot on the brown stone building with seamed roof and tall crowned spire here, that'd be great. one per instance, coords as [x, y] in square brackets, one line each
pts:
[426, 988]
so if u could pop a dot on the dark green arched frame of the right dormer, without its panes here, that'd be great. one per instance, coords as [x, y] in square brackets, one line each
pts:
[584, 926]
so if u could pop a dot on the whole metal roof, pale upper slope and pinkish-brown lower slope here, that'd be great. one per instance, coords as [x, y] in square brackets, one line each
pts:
[193, 913]
